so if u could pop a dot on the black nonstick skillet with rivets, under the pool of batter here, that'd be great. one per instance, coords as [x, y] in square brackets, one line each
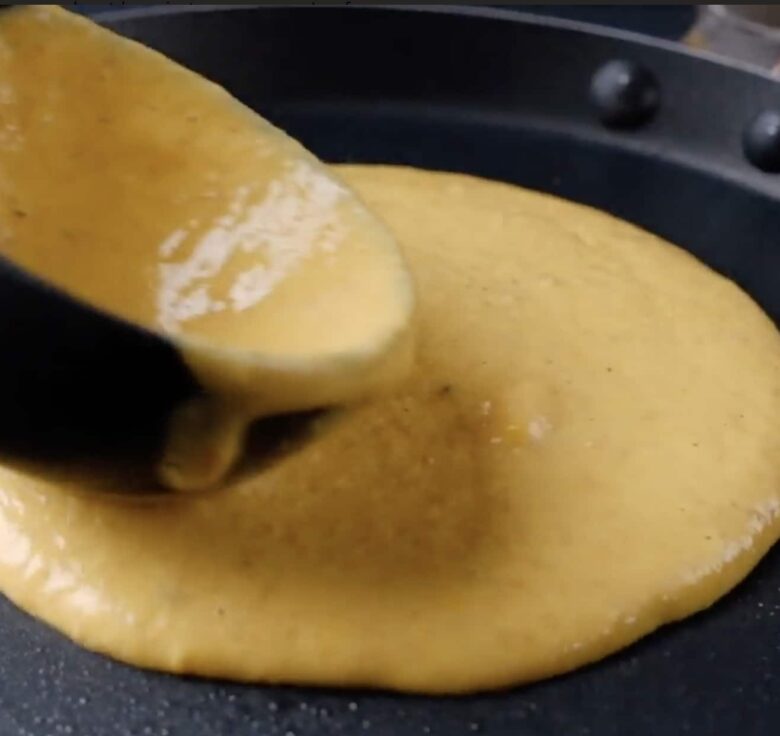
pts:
[511, 98]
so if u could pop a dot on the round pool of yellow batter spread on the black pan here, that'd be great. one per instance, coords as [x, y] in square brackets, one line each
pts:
[588, 448]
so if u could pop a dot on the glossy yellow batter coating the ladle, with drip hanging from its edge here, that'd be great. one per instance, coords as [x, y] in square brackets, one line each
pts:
[146, 190]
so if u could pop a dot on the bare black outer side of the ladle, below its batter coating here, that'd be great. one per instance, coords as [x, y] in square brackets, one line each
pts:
[76, 380]
